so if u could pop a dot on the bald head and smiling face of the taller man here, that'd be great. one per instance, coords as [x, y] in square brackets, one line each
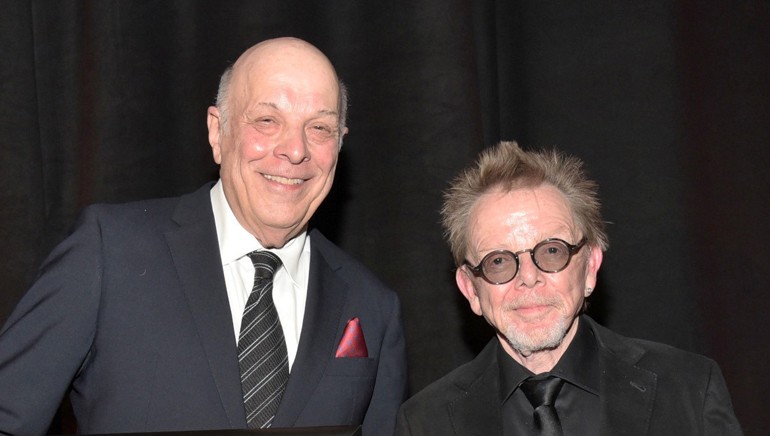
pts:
[278, 148]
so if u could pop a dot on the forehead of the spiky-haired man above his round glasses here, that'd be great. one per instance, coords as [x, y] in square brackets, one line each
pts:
[520, 216]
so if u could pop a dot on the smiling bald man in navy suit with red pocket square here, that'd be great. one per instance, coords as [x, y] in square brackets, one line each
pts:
[138, 313]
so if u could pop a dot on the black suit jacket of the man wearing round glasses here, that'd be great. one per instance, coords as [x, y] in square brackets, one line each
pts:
[646, 388]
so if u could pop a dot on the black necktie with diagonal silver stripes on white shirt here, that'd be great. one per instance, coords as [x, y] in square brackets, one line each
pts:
[262, 354]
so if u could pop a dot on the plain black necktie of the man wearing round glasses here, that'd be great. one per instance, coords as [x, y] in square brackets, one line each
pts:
[541, 391]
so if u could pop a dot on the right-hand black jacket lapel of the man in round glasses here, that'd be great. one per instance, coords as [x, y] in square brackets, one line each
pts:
[627, 391]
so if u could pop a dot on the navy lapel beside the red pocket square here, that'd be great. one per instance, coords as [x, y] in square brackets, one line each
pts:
[326, 296]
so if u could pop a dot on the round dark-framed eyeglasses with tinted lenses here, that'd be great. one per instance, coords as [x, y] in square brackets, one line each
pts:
[501, 266]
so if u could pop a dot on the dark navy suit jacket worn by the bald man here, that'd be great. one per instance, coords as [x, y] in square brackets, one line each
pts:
[131, 313]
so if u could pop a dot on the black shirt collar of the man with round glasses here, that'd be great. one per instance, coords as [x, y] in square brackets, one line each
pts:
[578, 366]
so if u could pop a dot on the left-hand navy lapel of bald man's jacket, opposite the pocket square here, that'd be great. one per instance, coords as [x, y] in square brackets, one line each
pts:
[195, 252]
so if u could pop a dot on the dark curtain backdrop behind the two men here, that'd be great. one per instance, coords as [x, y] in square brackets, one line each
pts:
[667, 102]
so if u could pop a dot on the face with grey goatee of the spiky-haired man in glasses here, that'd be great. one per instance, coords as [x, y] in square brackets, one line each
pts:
[535, 311]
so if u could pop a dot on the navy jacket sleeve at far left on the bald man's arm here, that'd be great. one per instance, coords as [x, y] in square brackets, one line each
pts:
[47, 338]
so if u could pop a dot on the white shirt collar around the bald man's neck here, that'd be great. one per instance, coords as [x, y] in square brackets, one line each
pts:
[236, 242]
